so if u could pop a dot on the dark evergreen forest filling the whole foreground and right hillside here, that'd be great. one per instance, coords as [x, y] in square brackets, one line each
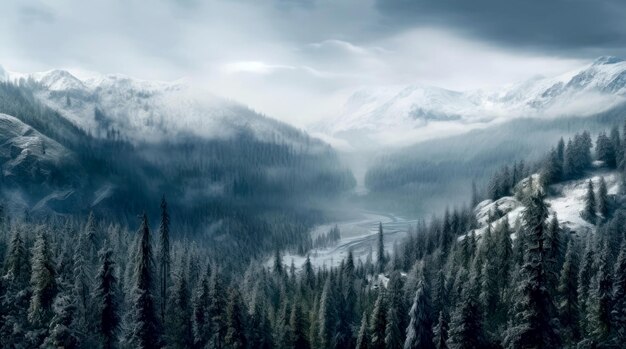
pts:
[484, 278]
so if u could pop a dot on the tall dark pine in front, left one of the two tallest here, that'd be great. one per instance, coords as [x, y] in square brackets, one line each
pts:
[145, 328]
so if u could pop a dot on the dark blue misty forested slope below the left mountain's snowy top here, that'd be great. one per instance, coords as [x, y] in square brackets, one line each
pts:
[240, 192]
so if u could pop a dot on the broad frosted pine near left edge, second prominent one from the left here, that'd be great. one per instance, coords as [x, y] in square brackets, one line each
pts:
[42, 282]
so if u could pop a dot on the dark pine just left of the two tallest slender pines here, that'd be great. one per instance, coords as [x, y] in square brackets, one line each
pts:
[106, 299]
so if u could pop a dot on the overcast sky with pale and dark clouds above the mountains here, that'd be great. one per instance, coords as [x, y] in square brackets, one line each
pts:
[296, 59]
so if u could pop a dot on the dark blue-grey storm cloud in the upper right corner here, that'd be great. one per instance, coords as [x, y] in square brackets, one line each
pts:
[579, 27]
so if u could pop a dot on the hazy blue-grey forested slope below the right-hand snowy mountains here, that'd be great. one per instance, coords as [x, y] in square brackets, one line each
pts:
[440, 172]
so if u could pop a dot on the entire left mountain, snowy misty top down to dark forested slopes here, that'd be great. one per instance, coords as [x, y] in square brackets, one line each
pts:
[131, 140]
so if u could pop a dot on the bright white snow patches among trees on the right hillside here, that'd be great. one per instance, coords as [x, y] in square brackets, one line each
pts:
[567, 201]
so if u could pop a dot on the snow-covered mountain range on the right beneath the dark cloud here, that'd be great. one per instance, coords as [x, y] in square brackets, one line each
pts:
[401, 115]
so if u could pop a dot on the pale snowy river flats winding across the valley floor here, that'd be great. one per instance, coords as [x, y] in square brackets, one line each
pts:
[359, 235]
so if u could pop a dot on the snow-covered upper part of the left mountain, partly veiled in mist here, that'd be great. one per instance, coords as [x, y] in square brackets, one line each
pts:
[147, 110]
